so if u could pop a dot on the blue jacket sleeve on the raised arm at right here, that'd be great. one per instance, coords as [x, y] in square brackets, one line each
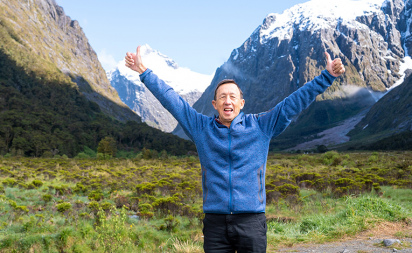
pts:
[274, 121]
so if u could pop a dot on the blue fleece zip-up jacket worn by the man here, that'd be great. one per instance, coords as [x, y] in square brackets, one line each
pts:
[233, 160]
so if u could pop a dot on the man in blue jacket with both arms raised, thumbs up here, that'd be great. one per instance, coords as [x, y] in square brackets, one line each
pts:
[233, 149]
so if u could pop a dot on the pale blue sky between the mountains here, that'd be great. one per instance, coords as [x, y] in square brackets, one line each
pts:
[199, 35]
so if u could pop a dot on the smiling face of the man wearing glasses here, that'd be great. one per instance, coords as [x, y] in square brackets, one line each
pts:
[228, 103]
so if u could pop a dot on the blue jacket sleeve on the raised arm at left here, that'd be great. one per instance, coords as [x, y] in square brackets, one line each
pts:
[190, 120]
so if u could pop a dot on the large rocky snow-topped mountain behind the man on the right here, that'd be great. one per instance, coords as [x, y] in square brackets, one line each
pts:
[372, 37]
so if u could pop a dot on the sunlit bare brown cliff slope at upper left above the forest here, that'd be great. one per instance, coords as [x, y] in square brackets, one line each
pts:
[43, 29]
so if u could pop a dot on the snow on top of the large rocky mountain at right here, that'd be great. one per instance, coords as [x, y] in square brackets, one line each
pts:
[316, 14]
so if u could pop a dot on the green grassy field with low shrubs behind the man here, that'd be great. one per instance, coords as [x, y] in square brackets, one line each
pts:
[155, 205]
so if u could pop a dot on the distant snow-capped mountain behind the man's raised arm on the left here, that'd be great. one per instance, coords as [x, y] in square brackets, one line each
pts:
[190, 85]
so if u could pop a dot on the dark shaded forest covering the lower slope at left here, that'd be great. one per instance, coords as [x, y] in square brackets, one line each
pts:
[45, 114]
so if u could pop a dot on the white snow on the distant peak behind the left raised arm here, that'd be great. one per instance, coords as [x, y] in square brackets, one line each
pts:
[182, 80]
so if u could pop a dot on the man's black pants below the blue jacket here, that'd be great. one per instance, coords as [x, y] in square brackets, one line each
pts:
[228, 233]
